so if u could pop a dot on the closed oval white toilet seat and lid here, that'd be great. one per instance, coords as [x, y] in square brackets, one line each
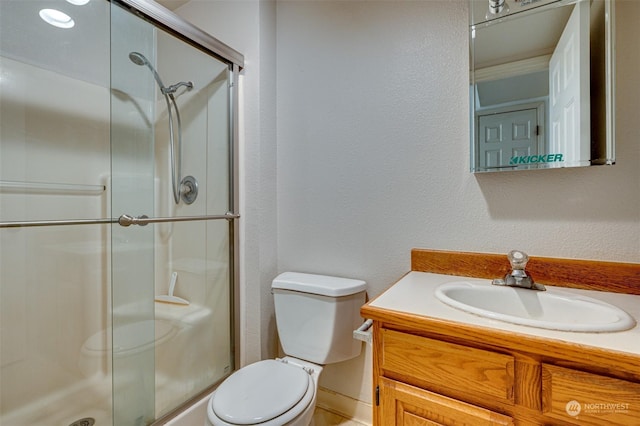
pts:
[268, 393]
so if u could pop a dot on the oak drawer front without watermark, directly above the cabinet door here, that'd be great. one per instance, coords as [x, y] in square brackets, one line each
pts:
[448, 365]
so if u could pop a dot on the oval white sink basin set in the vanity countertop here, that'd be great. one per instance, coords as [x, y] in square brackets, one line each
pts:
[551, 309]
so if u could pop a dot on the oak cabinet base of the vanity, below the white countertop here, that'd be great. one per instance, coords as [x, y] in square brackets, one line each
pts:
[426, 375]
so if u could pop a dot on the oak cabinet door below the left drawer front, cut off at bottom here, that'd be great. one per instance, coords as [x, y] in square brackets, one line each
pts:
[404, 405]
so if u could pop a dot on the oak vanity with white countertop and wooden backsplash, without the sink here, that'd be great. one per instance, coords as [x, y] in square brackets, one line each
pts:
[435, 365]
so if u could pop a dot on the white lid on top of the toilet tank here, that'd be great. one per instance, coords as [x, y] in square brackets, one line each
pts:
[318, 284]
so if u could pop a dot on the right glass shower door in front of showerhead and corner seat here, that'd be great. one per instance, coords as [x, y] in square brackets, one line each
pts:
[172, 250]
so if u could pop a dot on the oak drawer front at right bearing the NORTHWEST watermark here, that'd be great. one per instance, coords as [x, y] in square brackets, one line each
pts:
[588, 399]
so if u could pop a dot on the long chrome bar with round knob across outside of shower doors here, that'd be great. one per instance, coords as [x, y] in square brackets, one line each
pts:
[124, 220]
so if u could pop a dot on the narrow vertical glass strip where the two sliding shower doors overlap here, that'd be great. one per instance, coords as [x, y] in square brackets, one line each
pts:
[132, 248]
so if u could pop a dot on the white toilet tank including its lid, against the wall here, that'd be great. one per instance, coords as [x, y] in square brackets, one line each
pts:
[316, 316]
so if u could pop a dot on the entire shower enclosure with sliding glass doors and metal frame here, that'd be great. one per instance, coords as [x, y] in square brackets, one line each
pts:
[118, 212]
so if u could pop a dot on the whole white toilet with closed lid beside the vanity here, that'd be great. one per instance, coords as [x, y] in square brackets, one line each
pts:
[315, 317]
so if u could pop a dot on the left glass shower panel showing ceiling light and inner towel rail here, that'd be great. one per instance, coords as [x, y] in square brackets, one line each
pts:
[54, 218]
